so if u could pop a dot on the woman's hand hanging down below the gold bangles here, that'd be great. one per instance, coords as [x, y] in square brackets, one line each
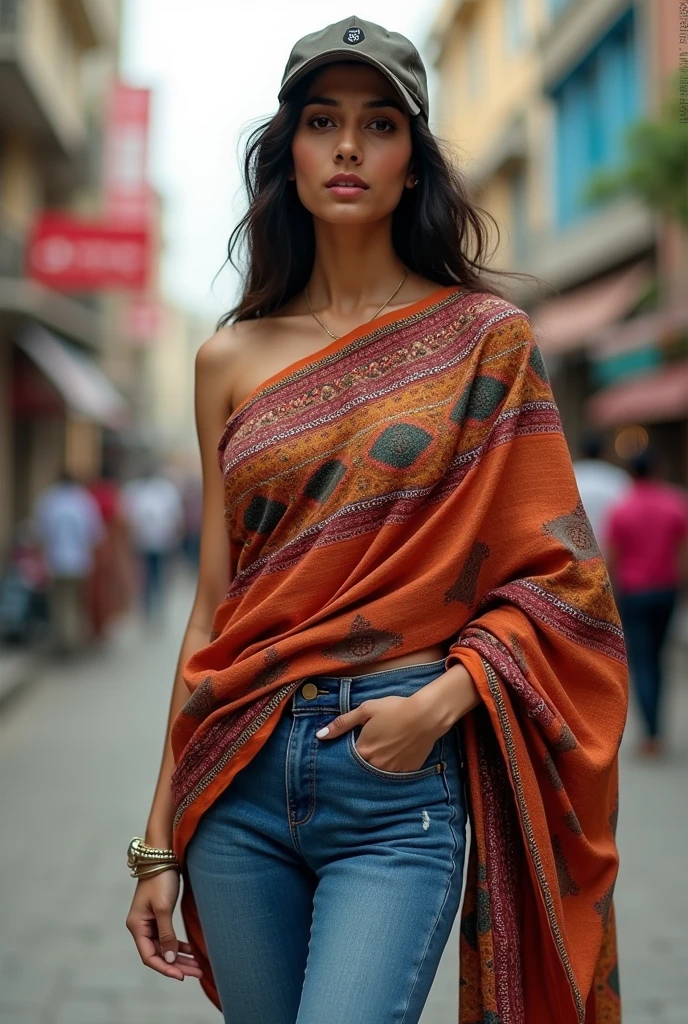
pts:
[150, 921]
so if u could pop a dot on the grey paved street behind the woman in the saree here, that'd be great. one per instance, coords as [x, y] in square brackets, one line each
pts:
[79, 753]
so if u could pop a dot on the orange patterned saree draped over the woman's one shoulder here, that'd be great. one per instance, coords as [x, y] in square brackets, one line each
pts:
[410, 485]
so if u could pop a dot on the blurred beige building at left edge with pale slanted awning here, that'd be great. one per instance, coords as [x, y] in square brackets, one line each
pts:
[56, 62]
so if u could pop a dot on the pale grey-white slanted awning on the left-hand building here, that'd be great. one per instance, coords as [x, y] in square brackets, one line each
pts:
[83, 387]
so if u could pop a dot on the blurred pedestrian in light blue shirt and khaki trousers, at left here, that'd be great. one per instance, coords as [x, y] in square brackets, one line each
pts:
[71, 529]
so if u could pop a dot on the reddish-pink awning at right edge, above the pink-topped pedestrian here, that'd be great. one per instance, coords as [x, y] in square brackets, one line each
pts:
[654, 398]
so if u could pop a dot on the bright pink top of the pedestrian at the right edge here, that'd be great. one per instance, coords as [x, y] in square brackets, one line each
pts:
[647, 531]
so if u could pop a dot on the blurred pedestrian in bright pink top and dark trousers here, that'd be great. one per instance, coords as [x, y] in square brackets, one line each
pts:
[648, 541]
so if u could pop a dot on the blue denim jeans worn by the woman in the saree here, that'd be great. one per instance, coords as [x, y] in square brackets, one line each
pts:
[327, 888]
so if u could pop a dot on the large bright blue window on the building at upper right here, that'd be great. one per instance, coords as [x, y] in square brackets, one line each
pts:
[595, 105]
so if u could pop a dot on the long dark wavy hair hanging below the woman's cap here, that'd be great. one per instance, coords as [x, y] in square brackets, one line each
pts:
[437, 230]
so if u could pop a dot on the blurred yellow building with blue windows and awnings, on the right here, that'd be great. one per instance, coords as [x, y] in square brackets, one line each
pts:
[538, 96]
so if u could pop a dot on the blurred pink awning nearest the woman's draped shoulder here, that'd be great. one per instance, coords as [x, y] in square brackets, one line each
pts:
[576, 320]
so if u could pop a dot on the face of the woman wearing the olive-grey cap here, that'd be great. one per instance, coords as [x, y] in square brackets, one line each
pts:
[353, 122]
